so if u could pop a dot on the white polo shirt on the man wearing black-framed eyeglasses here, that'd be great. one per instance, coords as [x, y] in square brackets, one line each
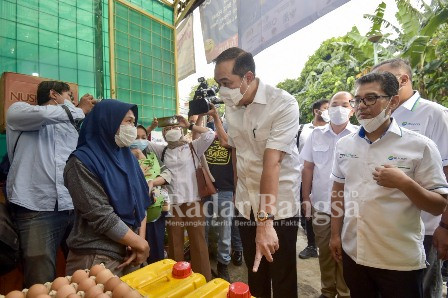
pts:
[387, 231]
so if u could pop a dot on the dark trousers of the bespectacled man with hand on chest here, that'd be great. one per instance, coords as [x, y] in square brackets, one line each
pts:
[368, 282]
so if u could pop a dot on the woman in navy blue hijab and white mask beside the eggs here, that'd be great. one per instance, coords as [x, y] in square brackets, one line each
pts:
[109, 192]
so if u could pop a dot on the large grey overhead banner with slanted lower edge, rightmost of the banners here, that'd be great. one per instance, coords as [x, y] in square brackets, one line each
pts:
[262, 23]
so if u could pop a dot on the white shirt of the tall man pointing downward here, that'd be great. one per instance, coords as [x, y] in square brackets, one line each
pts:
[270, 121]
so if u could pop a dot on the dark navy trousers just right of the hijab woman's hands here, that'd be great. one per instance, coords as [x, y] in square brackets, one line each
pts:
[155, 235]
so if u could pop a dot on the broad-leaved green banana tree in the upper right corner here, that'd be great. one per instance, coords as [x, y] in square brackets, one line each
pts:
[418, 39]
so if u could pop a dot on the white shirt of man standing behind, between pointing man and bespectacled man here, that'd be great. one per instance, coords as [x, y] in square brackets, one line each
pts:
[319, 149]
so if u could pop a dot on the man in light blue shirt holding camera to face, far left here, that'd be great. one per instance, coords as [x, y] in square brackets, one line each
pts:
[39, 139]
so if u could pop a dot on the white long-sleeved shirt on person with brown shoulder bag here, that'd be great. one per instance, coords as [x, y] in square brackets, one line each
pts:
[183, 187]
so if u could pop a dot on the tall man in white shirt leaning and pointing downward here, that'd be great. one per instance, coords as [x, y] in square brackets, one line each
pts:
[262, 126]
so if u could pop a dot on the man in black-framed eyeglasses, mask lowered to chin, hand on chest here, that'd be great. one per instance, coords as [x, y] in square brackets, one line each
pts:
[383, 177]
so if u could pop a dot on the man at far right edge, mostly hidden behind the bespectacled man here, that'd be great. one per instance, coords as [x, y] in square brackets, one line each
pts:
[431, 120]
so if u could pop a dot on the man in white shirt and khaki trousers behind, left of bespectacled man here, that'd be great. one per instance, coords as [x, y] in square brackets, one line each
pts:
[317, 155]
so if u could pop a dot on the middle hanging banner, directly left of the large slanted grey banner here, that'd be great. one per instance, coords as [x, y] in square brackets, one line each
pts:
[219, 26]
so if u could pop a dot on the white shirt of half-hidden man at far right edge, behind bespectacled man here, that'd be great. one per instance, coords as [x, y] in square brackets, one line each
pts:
[431, 120]
